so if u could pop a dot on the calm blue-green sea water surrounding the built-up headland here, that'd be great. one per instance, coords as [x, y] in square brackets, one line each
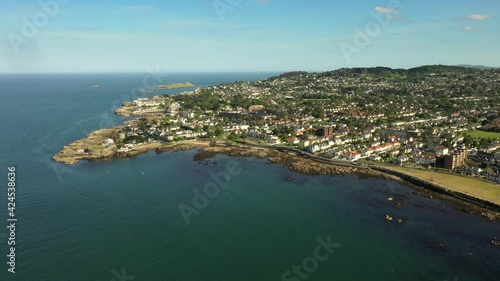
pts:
[120, 219]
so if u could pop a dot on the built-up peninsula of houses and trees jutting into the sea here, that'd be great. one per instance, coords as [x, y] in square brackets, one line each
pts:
[435, 124]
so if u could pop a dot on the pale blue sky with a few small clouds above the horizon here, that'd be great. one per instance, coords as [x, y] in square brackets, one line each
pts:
[244, 35]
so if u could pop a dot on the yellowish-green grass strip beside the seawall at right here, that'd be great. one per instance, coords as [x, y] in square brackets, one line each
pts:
[471, 186]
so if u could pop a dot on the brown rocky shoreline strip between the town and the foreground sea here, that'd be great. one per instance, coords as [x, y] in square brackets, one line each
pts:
[296, 163]
